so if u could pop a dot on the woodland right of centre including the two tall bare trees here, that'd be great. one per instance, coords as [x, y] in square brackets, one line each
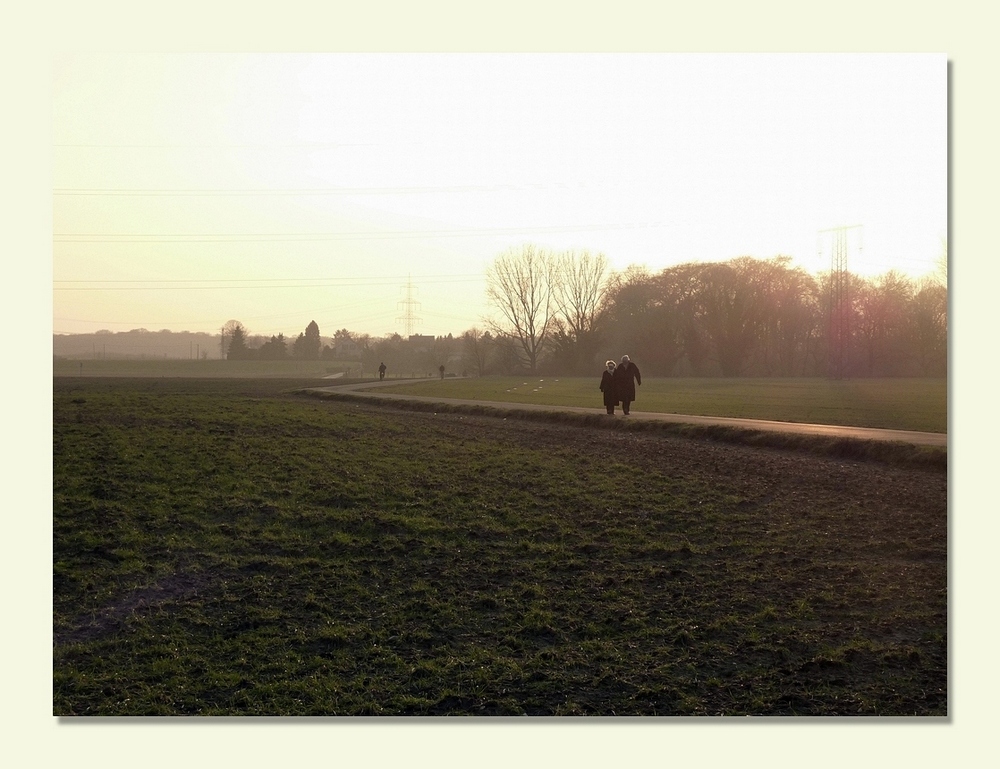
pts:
[743, 317]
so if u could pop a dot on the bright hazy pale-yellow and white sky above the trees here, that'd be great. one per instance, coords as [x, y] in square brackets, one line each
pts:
[278, 189]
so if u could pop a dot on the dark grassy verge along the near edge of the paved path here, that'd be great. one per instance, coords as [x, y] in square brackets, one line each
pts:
[888, 452]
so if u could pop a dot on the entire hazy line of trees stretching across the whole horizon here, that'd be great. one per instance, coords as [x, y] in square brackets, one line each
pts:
[744, 317]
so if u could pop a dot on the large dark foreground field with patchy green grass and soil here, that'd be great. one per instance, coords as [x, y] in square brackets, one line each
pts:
[230, 548]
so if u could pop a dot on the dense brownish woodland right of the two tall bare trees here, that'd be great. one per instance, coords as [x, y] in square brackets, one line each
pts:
[753, 317]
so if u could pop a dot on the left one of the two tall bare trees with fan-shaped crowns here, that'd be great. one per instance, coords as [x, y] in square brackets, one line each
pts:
[519, 284]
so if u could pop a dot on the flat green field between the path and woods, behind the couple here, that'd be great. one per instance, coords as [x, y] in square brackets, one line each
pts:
[895, 404]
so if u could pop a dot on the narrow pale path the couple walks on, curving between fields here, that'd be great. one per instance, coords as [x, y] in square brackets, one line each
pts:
[834, 431]
